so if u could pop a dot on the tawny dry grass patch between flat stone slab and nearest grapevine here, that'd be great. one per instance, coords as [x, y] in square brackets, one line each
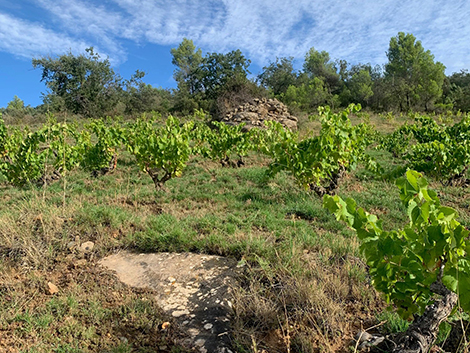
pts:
[317, 310]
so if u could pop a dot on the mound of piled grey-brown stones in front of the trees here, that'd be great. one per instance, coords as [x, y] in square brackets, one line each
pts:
[255, 113]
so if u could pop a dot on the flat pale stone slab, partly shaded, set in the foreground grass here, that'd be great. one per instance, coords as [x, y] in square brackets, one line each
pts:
[193, 288]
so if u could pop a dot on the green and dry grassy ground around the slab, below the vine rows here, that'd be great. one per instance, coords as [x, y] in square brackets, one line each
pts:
[305, 287]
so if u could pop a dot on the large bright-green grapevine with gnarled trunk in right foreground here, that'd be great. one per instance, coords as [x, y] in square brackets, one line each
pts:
[411, 265]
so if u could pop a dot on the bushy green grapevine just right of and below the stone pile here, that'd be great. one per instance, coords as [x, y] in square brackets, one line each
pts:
[318, 163]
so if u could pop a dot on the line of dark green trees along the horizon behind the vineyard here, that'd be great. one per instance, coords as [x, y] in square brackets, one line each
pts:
[411, 80]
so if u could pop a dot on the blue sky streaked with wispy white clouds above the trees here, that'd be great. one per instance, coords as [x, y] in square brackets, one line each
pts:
[139, 34]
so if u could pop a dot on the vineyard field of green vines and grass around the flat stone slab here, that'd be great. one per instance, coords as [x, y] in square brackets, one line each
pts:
[296, 207]
